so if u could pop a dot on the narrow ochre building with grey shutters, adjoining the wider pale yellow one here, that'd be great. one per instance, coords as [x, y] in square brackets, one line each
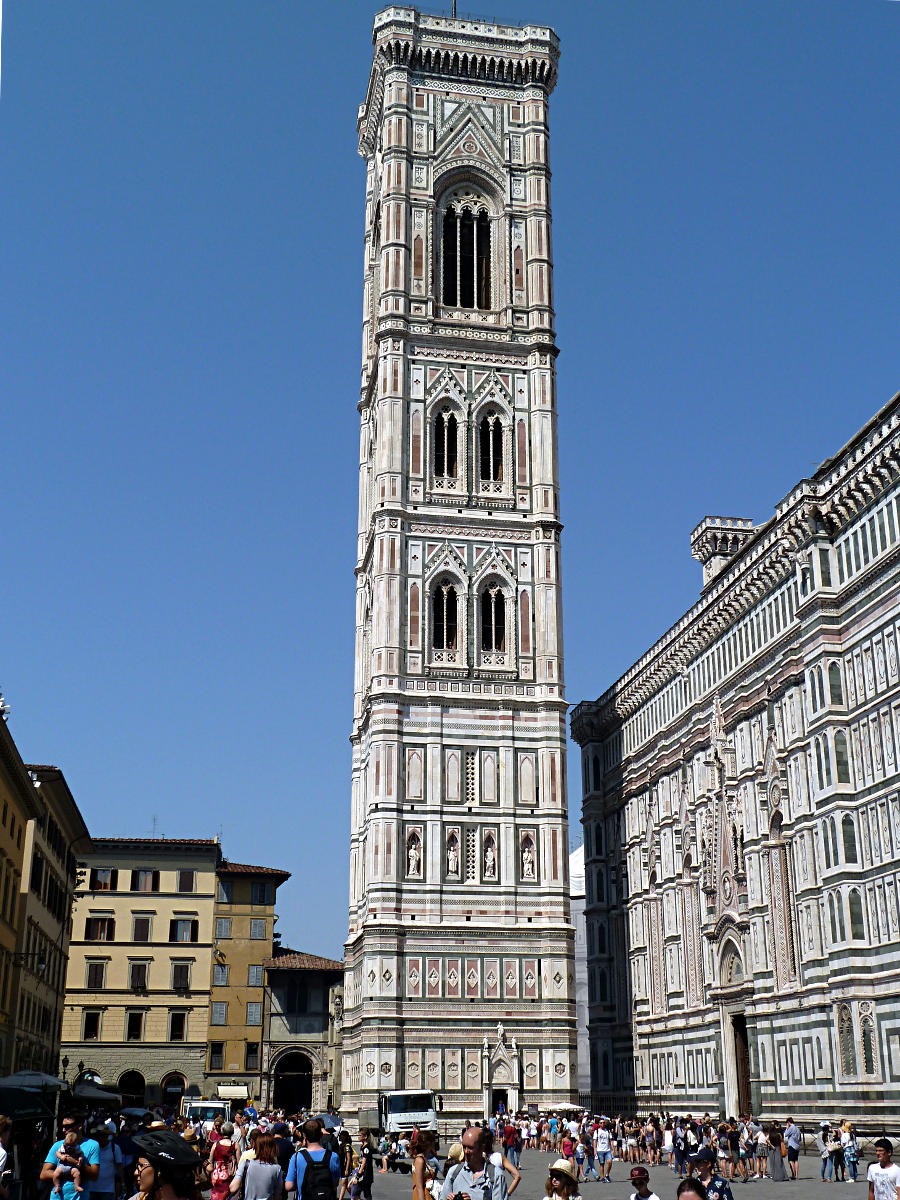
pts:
[244, 931]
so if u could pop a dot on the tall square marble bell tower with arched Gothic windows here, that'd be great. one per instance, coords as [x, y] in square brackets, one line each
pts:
[459, 959]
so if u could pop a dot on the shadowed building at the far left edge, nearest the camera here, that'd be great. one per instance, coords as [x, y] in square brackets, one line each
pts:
[19, 806]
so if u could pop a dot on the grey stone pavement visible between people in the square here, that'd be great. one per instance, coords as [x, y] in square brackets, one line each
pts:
[663, 1181]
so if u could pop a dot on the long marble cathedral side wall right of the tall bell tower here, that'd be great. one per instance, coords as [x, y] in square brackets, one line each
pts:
[742, 818]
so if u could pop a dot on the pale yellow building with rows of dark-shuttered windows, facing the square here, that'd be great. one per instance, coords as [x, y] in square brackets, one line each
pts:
[140, 967]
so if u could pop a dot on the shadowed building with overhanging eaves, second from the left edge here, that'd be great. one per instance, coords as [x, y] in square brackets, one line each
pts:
[49, 883]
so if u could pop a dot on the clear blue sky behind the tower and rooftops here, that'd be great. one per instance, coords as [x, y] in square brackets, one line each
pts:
[182, 215]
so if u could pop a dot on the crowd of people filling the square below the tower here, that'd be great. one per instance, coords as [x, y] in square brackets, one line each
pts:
[269, 1156]
